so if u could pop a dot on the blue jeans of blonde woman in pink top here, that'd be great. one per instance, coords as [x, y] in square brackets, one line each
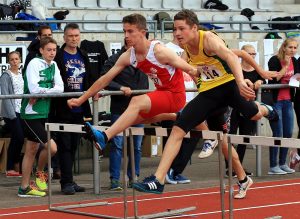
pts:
[282, 128]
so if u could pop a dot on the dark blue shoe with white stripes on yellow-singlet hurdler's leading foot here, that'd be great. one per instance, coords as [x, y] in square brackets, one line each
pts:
[149, 185]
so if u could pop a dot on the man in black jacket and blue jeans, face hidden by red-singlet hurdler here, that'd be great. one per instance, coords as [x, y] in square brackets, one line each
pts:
[129, 79]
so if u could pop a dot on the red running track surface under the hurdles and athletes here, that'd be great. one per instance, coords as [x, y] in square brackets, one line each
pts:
[267, 199]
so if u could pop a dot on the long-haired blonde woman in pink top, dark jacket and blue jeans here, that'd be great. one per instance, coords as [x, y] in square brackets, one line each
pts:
[286, 65]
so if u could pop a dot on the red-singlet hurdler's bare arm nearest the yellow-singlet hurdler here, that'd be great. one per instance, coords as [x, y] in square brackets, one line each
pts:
[167, 56]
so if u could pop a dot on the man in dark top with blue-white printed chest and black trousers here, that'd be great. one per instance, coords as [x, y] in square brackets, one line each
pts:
[74, 69]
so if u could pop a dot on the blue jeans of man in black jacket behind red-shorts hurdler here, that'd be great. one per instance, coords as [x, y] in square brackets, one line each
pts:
[116, 152]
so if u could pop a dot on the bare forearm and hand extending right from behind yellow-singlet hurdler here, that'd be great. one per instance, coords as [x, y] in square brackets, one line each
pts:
[264, 74]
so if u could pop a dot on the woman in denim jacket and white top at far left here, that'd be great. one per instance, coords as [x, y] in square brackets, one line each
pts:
[11, 82]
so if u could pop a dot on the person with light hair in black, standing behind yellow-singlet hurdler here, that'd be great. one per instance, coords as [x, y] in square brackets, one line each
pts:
[237, 121]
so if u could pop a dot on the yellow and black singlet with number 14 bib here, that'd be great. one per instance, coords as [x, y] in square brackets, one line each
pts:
[214, 71]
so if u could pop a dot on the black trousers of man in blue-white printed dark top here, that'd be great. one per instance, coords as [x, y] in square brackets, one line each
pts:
[67, 144]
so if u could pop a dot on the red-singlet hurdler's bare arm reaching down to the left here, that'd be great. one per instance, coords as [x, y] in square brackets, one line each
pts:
[103, 81]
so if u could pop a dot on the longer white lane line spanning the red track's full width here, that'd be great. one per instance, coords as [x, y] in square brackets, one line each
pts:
[168, 197]
